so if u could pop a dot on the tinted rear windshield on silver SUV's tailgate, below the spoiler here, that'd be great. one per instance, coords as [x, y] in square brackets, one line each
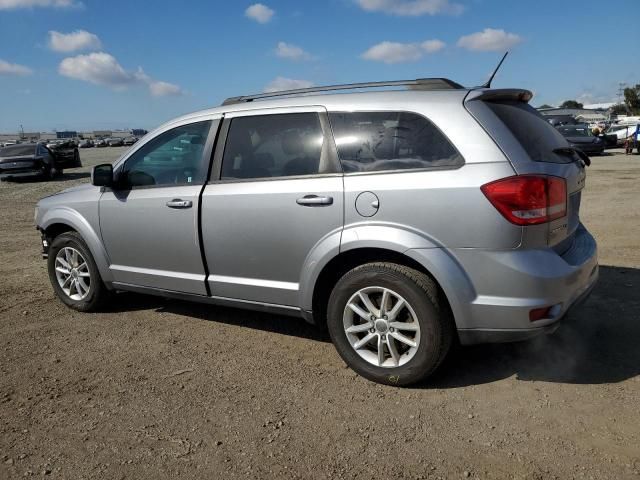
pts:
[536, 135]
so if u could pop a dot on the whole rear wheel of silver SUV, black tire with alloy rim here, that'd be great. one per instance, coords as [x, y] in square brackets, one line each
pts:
[389, 324]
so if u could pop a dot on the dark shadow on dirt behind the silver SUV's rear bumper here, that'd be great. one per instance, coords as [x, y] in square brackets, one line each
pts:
[597, 344]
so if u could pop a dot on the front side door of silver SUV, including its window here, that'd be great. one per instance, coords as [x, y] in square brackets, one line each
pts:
[149, 220]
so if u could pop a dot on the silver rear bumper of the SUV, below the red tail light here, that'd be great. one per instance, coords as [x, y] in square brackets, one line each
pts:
[509, 285]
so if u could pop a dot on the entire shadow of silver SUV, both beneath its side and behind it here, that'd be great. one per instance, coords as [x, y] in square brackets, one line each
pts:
[597, 344]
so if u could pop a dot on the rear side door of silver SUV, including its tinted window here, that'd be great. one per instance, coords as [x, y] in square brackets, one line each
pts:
[275, 195]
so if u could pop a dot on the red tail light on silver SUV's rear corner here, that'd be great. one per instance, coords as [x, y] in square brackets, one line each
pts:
[528, 199]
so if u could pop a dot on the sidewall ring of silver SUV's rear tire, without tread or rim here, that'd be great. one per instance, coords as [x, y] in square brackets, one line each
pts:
[428, 316]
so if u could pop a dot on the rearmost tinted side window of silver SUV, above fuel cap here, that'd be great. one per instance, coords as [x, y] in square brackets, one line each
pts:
[374, 141]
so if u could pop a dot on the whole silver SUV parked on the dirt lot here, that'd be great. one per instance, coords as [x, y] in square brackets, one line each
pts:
[401, 220]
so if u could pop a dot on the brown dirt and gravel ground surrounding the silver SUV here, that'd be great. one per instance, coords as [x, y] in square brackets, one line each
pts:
[159, 388]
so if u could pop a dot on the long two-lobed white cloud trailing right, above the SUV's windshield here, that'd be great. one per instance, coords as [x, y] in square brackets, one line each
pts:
[103, 69]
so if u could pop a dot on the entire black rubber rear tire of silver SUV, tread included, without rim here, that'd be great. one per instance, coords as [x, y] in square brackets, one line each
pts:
[421, 292]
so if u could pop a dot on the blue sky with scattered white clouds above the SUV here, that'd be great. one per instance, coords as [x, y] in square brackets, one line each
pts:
[138, 64]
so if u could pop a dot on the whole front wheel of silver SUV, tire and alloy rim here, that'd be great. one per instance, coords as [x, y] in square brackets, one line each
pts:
[73, 273]
